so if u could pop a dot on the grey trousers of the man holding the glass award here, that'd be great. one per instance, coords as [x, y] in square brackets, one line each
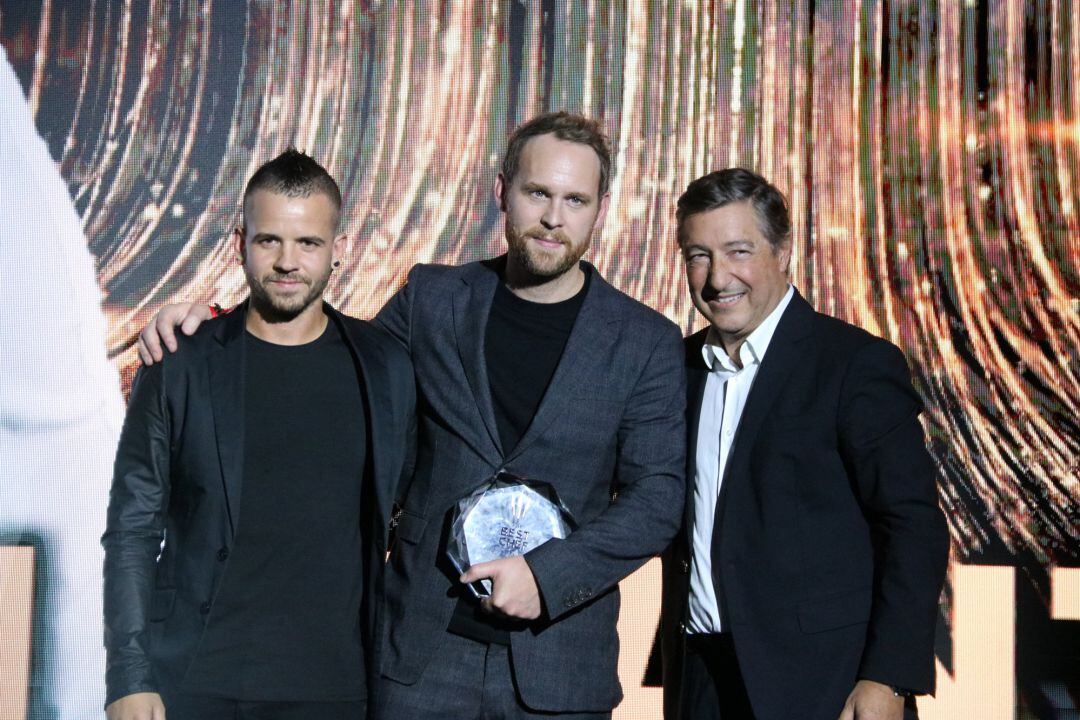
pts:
[466, 681]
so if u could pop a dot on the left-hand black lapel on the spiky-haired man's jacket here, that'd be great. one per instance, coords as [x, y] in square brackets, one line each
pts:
[226, 371]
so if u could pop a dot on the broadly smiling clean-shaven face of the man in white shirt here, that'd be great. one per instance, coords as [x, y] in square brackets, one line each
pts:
[736, 277]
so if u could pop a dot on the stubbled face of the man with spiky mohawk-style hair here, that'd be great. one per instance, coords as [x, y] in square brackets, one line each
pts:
[288, 249]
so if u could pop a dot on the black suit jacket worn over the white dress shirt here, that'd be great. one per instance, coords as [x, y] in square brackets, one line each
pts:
[829, 548]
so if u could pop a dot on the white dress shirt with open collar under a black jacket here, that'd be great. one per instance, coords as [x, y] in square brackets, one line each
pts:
[727, 389]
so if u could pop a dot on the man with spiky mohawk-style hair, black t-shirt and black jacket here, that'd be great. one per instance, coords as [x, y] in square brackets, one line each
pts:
[253, 486]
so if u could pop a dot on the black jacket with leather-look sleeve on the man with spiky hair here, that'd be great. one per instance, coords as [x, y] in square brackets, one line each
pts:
[178, 477]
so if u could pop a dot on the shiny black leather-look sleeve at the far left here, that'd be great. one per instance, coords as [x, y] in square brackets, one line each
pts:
[136, 525]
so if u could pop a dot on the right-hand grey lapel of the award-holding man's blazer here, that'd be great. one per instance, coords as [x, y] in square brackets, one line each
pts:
[595, 332]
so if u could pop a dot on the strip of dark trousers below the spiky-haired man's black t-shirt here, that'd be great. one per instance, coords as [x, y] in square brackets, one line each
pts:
[184, 707]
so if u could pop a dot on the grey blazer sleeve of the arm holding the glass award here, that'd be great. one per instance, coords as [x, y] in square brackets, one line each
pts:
[651, 484]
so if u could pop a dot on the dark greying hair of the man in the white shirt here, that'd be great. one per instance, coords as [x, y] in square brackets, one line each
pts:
[737, 185]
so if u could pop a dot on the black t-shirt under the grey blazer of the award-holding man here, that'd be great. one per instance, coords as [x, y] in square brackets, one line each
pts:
[523, 344]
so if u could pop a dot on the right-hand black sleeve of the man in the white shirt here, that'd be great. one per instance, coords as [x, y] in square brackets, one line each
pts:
[883, 445]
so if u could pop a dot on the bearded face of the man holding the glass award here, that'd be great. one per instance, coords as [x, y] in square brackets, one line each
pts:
[552, 206]
